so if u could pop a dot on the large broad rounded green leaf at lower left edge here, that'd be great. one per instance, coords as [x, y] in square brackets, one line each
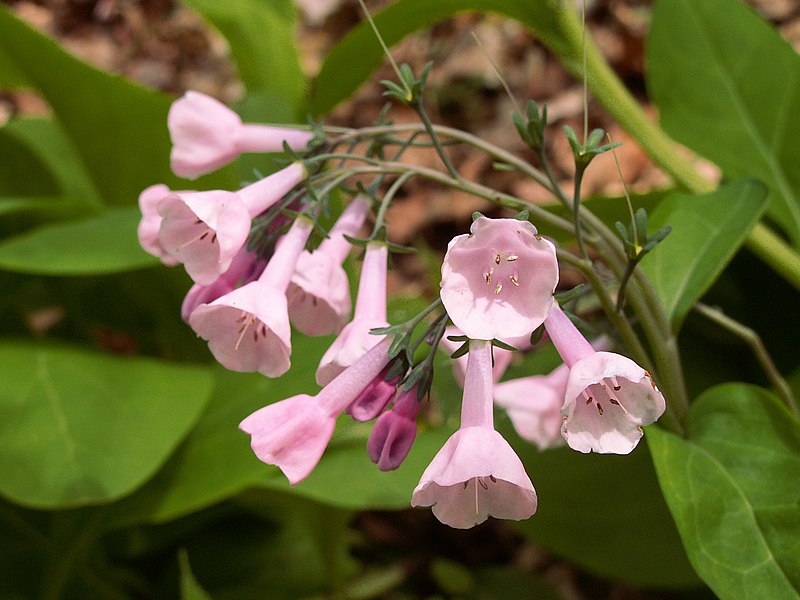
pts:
[78, 428]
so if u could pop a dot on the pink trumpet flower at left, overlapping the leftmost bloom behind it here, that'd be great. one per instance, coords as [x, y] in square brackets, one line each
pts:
[205, 230]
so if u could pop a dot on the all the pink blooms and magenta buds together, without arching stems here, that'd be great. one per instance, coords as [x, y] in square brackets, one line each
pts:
[498, 283]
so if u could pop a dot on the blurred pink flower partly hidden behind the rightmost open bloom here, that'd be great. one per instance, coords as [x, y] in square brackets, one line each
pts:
[534, 406]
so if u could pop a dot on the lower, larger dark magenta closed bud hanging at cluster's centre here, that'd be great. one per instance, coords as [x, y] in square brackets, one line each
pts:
[394, 432]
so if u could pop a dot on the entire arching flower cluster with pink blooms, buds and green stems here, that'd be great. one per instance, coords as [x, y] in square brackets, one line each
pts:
[261, 264]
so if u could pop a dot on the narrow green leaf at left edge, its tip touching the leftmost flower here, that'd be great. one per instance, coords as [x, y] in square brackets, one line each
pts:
[103, 244]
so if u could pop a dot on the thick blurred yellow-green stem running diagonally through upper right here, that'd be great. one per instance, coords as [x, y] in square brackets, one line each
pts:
[616, 99]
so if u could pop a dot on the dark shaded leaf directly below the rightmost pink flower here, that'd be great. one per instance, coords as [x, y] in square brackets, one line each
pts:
[606, 514]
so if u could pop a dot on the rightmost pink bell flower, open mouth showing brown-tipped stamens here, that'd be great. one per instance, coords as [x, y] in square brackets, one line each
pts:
[608, 397]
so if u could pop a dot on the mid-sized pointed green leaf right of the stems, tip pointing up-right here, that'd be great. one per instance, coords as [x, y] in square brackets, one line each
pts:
[706, 232]
